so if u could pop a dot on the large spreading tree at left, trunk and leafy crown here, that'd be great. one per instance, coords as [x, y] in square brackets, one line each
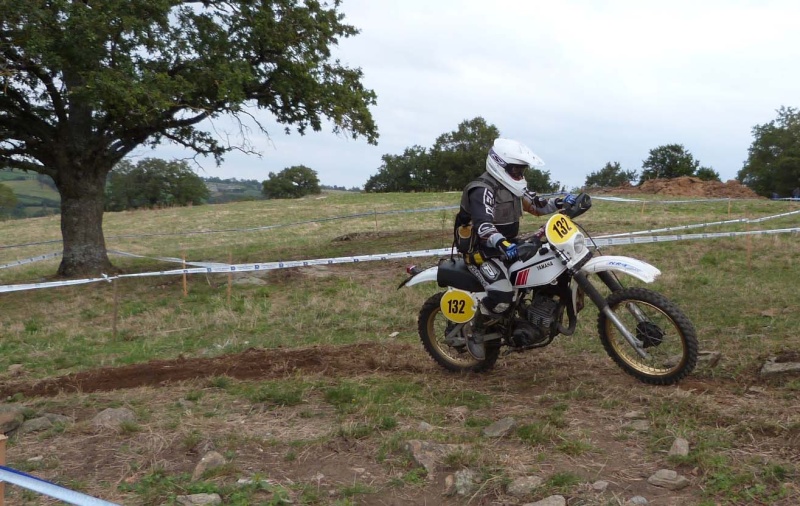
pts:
[86, 82]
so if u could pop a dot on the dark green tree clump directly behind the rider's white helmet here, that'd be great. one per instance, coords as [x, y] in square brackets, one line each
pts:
[455, 159]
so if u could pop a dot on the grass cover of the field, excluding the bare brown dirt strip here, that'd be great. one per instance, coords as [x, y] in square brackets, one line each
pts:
[738, 292]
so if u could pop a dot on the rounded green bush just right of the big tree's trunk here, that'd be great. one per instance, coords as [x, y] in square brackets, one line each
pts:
[153, 183]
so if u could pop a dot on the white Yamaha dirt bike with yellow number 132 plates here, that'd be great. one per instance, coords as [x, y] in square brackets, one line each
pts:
[645, 334]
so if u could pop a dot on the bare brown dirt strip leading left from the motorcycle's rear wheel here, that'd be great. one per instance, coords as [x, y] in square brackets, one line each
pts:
[254, 363]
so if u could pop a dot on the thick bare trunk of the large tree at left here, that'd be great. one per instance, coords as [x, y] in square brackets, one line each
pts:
[82, 202]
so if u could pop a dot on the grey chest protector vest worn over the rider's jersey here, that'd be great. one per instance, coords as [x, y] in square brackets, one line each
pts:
[507, 211]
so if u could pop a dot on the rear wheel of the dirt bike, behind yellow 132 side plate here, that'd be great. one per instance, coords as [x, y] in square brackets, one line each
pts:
[446, 342]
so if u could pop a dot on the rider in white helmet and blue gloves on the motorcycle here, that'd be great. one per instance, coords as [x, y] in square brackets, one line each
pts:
[493, 205]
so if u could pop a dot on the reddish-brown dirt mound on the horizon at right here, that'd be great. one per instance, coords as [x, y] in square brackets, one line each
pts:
[687, 186]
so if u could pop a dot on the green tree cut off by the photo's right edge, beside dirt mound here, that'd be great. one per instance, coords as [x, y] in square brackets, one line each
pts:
[773, 161]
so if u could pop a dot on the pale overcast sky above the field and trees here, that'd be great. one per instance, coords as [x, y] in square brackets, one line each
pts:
[581, 83]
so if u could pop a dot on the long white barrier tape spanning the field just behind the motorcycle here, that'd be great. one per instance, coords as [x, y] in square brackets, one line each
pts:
[222, 268]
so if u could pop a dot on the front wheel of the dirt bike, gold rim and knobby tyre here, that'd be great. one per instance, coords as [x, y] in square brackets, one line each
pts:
[667, 336]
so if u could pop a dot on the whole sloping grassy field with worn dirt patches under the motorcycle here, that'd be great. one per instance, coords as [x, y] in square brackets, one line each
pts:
[343, 382]
